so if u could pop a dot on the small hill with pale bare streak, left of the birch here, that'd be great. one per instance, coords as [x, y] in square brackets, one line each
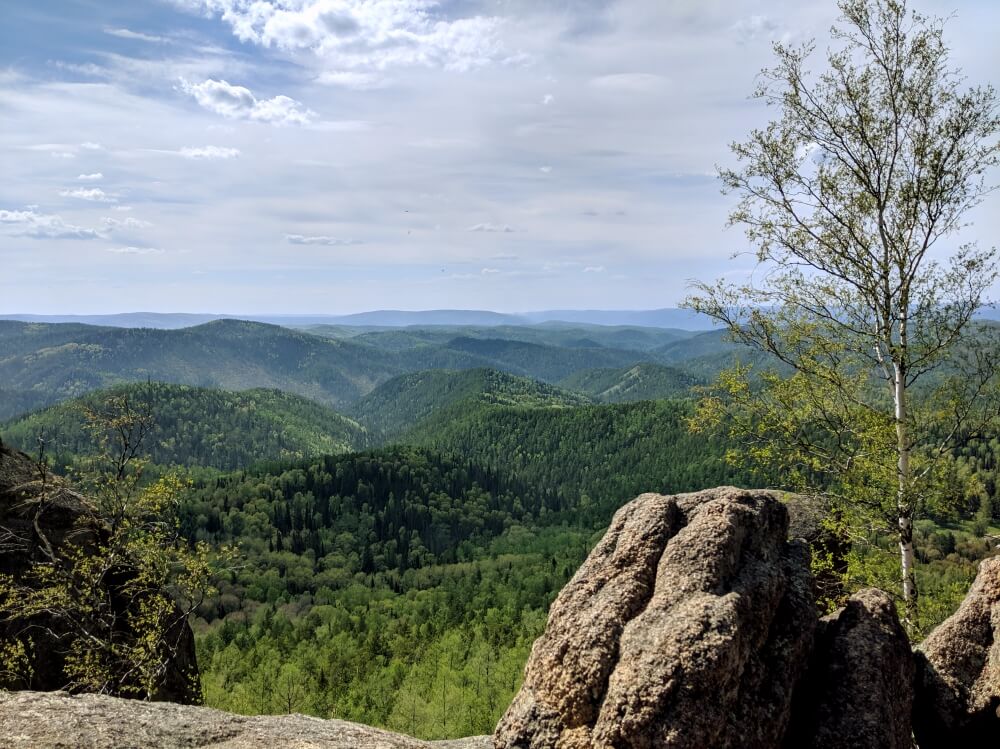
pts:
[642, 382]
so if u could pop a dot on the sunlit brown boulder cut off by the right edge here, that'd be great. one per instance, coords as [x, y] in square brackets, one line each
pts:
[958, 682]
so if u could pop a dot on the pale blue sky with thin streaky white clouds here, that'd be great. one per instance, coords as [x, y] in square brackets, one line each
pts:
[334, 156]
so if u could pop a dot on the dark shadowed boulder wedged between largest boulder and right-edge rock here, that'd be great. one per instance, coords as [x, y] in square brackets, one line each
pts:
[858, 691]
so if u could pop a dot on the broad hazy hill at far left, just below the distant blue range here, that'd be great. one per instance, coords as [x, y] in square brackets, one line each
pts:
[66, 361]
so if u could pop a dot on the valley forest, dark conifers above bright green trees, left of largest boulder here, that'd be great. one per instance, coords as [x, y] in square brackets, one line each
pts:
[400, 588]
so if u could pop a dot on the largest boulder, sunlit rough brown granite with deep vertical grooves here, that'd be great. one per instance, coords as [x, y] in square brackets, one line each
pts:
[689, 625]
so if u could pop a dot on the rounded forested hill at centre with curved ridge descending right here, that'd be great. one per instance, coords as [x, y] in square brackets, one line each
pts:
[432, 399]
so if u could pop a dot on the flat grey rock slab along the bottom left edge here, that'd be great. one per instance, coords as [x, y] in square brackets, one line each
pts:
[51, 720]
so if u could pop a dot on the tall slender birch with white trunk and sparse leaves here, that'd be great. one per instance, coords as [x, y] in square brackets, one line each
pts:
[853, 198]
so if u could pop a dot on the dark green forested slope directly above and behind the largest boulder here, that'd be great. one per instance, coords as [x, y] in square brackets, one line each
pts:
[589, 459]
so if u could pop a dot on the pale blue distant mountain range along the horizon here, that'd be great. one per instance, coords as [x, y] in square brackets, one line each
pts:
[658, 318]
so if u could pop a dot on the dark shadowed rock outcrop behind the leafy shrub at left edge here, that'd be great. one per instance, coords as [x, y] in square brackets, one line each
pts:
[40, 515]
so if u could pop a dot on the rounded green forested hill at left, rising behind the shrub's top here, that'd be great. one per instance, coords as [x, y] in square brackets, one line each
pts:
[198, 426]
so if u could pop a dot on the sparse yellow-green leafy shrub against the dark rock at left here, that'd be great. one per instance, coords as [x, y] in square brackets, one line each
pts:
[100, 593]
